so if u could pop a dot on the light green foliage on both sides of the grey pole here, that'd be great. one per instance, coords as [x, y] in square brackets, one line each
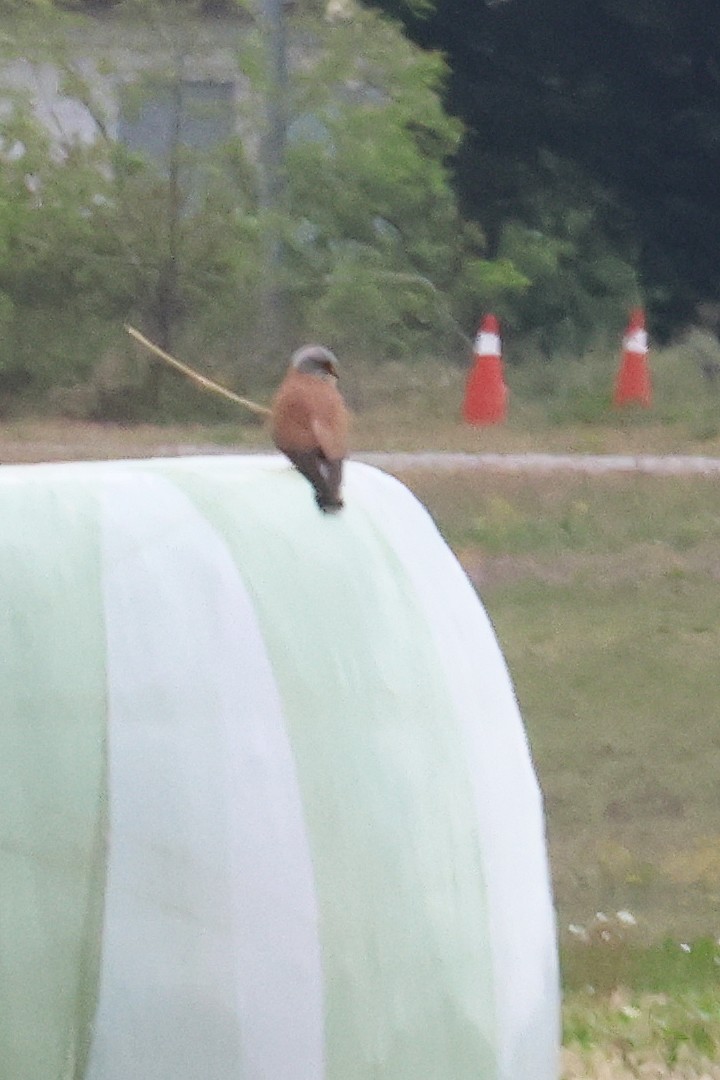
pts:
[371, 251]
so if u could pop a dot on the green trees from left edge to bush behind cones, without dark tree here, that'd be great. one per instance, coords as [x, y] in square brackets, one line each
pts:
[371, 249]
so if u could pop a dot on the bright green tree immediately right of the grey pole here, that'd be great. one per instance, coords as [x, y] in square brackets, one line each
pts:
[379, 249]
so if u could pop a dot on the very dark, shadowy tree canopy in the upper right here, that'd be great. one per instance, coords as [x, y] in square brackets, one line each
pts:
[627, 90]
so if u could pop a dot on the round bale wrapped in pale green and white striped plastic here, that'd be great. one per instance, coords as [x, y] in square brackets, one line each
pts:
[267, 807]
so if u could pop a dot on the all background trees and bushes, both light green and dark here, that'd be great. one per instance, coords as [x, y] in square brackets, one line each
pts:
[407, 193]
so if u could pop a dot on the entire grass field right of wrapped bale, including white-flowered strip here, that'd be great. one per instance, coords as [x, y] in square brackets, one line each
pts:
[605, 595]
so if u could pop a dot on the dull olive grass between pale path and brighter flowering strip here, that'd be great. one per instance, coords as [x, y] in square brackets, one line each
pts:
[605, 593]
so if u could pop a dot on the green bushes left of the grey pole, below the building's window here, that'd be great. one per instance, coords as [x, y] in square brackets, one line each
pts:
[91, 236]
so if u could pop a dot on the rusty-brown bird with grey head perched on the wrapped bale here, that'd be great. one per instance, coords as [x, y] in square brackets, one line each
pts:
[309, 423]
